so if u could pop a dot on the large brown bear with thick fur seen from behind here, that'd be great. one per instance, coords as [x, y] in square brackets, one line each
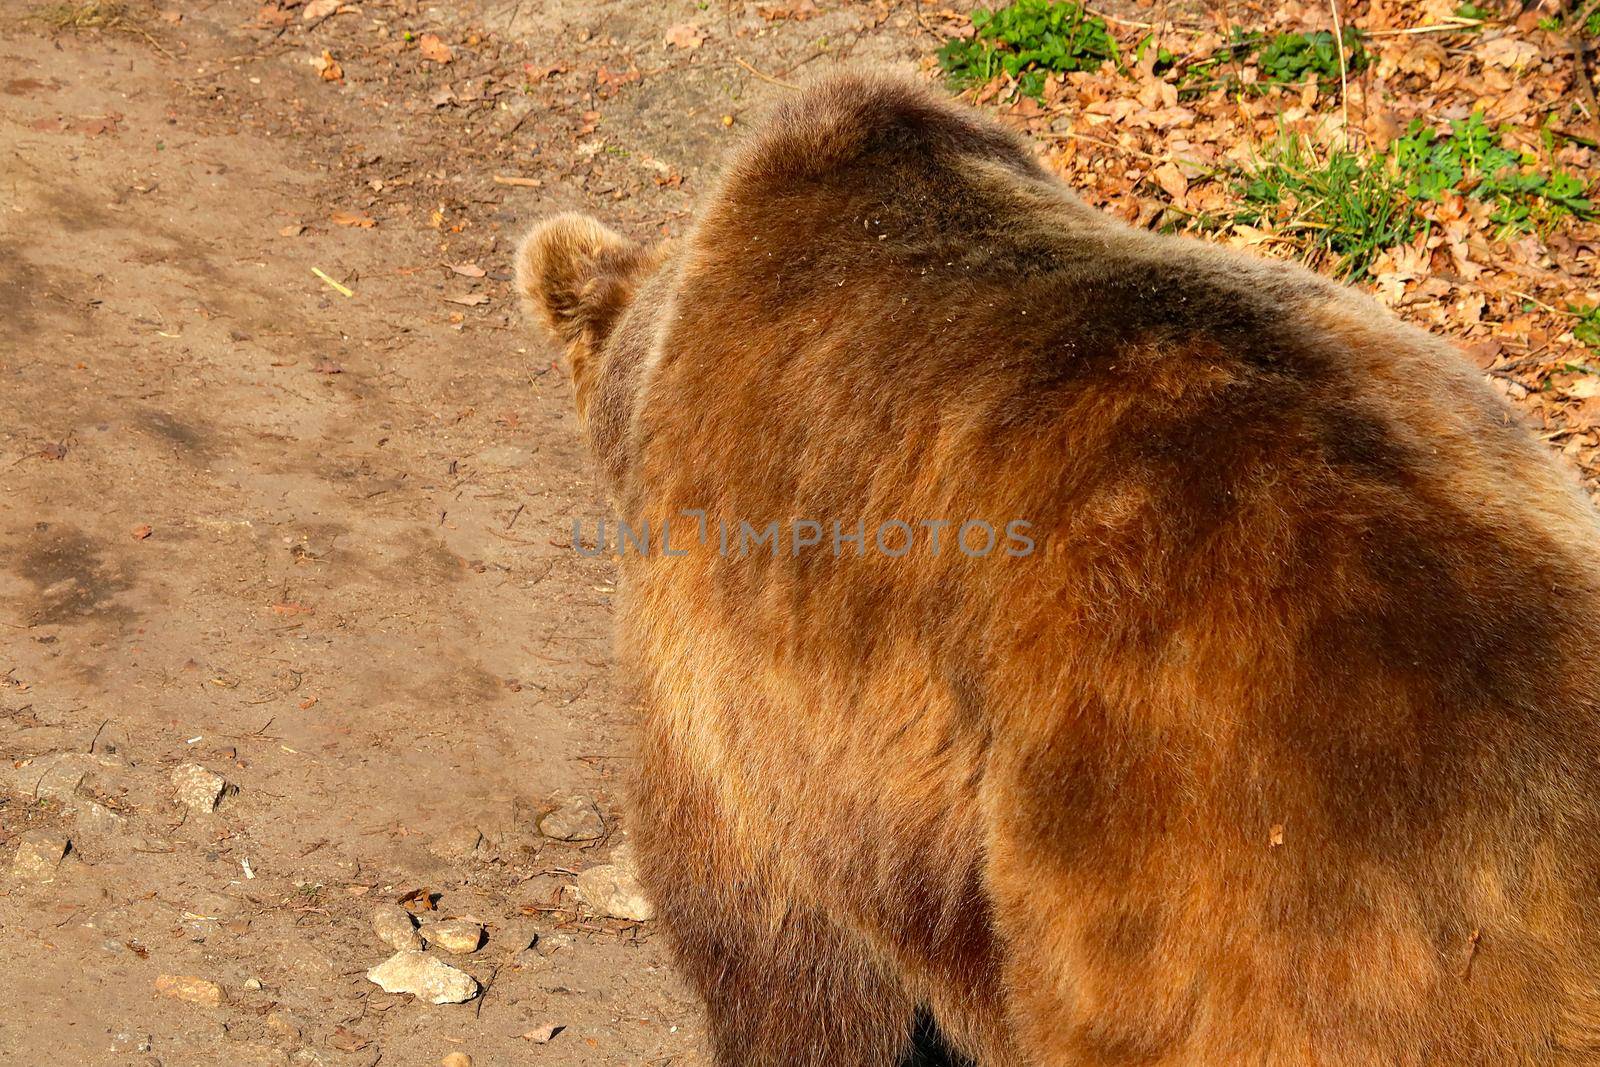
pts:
[1282, 748]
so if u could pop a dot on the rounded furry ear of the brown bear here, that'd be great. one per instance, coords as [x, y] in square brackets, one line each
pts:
[564, 273]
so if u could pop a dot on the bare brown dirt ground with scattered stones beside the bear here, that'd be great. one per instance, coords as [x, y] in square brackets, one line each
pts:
[319, 543]
